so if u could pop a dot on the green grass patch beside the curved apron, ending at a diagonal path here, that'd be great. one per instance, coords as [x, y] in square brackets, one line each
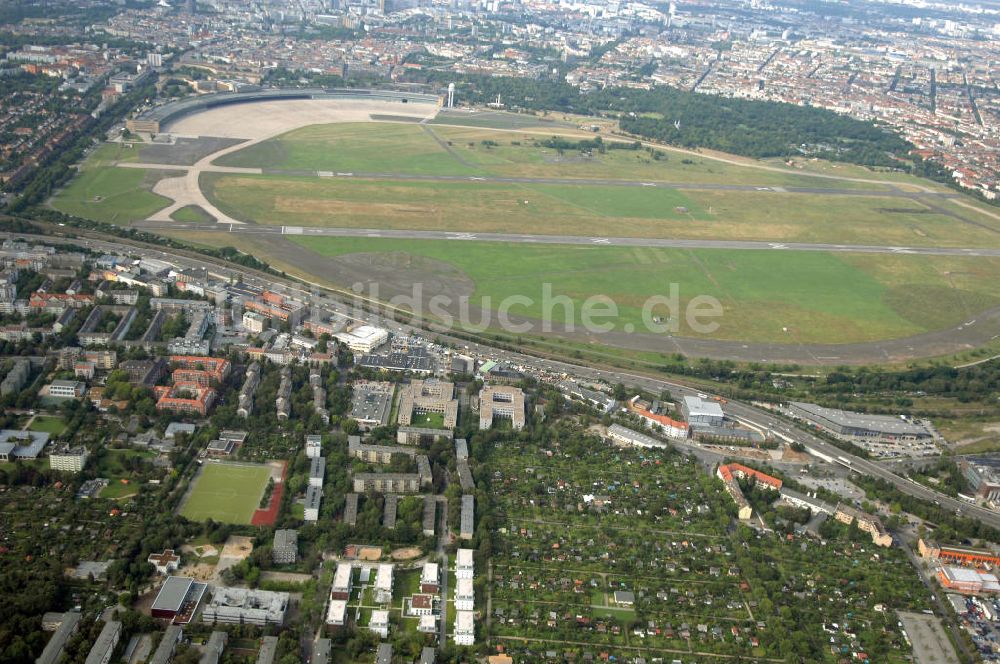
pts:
[365, 147]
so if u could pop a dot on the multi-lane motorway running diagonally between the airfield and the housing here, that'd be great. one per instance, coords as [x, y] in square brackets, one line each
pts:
[756, 416]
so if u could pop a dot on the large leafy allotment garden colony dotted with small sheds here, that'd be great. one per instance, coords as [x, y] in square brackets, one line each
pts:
[640, 553]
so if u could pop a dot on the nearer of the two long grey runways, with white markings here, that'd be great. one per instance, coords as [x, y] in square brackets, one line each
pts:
[520, 238]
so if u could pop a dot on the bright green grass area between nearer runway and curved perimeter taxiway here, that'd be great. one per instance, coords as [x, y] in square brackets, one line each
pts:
[818, 297]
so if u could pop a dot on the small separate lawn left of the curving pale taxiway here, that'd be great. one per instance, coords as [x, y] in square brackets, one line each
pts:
[110, 194]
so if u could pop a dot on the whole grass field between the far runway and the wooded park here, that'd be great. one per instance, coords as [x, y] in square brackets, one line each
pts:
[443, 150]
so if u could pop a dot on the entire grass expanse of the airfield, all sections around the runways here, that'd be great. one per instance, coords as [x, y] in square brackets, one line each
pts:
[328, 176]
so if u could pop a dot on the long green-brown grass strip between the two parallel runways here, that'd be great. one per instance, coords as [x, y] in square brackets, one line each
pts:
[592, 210]
